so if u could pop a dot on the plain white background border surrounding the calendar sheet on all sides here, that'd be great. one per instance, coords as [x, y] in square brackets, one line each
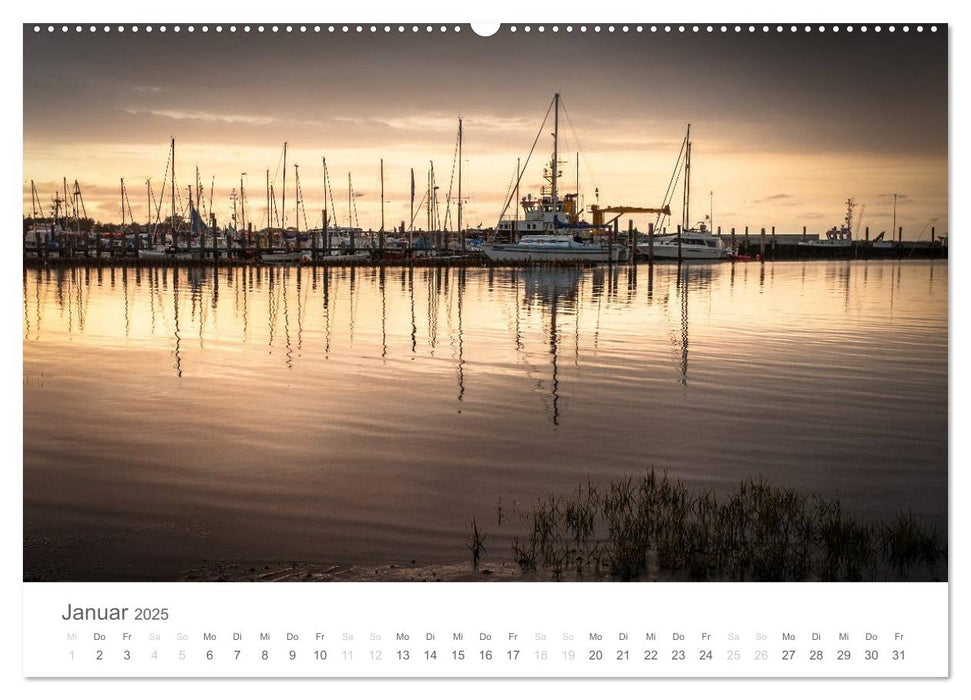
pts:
[444, 10]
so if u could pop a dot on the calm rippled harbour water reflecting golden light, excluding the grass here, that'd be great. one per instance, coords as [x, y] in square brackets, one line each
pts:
[365, 416]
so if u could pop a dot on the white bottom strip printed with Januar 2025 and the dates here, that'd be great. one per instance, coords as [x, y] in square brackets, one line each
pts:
[365, 629]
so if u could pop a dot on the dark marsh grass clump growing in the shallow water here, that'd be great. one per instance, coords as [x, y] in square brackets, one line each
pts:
[652, 525]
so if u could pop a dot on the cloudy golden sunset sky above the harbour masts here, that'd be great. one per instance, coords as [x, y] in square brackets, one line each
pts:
[785, 126]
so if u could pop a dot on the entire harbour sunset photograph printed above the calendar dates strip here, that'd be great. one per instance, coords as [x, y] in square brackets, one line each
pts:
[323, 304]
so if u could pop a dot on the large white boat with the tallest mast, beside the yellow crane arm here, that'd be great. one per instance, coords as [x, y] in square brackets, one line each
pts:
[552, 231]
